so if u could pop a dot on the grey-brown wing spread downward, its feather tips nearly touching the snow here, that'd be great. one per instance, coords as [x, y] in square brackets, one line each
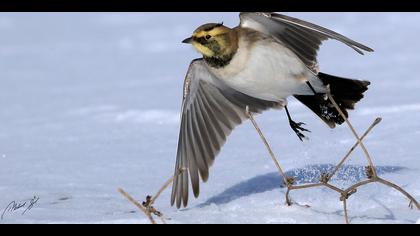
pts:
[210, 111]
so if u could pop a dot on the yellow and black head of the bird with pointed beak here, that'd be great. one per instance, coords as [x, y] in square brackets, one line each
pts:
[214, 40]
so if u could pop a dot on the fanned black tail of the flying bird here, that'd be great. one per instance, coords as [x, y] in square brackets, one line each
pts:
[346, 92]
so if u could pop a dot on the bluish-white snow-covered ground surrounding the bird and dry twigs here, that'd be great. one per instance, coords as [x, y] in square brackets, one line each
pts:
[90, 103]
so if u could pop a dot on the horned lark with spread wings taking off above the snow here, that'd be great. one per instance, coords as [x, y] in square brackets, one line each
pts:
[260, 63]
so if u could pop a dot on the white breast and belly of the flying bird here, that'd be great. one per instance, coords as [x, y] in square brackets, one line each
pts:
[266, 70]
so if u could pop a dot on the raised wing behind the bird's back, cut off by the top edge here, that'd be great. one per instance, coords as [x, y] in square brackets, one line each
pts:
[303, 38]
